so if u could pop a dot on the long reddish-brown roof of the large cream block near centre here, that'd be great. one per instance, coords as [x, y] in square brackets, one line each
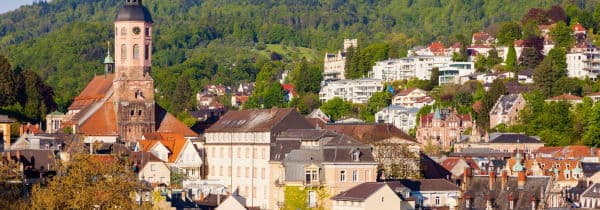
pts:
[256, 120]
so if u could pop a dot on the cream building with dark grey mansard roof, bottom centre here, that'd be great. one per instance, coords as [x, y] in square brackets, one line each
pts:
[319, 160]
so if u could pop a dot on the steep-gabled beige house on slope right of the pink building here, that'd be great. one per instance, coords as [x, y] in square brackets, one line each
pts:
[506, 110]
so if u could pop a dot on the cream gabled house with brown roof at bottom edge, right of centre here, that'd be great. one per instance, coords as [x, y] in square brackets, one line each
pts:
[367, 196]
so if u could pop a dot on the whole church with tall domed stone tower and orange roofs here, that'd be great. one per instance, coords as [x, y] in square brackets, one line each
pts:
[119, 106]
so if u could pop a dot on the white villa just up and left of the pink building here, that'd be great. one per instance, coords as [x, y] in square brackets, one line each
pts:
[401, 117]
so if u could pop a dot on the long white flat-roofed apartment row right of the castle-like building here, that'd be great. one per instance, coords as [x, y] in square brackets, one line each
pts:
[407, 68]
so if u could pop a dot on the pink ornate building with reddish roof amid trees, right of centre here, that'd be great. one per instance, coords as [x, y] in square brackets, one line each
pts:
[442, 128]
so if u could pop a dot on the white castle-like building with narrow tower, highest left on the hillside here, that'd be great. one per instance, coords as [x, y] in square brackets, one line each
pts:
[334, 64]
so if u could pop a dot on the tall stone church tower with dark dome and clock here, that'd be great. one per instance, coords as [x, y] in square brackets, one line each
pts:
[133, 85]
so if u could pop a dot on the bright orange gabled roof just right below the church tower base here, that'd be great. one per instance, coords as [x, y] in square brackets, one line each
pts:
[175, 142]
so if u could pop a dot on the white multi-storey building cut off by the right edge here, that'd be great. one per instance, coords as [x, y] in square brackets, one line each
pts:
[584, 62]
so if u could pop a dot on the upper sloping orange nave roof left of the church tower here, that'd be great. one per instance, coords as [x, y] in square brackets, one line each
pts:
[94, 91]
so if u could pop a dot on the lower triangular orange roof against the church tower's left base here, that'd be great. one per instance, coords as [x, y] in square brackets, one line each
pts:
[101, 123]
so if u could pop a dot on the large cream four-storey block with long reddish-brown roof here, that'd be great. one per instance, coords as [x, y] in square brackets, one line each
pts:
[238, 149]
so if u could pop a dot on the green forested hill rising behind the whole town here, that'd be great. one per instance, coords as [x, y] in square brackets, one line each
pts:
[64, 40]
